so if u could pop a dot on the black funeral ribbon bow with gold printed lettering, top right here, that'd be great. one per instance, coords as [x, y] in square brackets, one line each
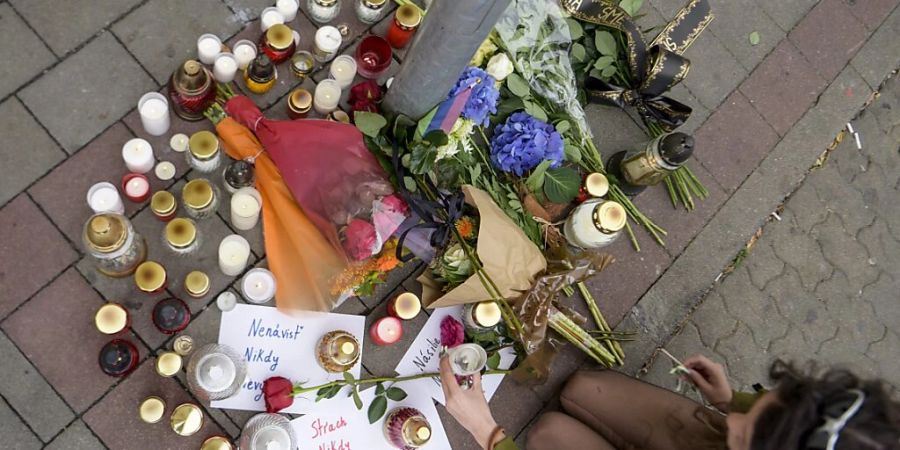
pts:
[656, 67]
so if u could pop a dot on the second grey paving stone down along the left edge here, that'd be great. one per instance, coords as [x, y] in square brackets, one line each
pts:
[20, 167]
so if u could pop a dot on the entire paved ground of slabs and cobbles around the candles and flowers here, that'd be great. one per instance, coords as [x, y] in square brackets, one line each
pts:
[762, 116]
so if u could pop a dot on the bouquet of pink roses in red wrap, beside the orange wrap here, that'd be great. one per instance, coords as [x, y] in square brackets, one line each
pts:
[332, 176]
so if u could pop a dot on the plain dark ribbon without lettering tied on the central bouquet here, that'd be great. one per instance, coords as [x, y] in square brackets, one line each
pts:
[428, 211]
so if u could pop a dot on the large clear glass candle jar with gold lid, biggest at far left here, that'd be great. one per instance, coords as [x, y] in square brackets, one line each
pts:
[113, 244]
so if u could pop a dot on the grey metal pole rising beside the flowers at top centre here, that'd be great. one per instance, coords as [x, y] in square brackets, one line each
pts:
[444, 44]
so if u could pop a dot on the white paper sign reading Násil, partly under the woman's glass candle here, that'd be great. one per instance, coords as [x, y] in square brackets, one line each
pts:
[424, 356]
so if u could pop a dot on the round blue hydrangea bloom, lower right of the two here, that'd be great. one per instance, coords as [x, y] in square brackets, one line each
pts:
[523, 142]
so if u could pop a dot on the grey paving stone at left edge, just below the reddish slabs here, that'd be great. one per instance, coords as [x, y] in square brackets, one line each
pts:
[29, 394]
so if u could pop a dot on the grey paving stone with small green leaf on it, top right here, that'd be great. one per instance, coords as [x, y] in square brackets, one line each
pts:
[735, 20]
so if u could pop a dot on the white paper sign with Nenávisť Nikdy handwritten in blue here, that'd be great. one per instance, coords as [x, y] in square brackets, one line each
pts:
[275, 344]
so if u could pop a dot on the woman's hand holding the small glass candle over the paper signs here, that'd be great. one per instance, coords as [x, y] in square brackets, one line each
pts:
[468, 406]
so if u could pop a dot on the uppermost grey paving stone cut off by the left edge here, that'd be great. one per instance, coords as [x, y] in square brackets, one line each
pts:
[24, 54]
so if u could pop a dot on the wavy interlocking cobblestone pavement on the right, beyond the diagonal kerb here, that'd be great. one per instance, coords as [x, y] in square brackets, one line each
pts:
[822, 283]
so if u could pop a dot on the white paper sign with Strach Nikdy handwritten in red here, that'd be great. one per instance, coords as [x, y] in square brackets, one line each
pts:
[350, 429]
